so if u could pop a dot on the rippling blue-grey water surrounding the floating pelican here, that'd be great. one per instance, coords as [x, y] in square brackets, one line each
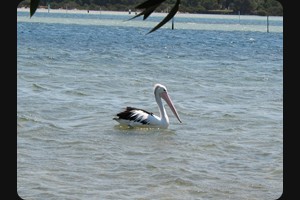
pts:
[75, 71]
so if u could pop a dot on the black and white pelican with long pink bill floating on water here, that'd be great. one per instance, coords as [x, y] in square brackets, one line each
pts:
[136, 117]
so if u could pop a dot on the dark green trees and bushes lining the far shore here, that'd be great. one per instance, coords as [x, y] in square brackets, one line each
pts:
[245, 7]
